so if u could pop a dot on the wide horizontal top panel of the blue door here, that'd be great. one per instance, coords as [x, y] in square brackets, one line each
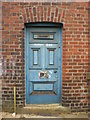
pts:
[43, 35]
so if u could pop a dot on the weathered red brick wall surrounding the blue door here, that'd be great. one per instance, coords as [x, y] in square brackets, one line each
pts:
[75, 48]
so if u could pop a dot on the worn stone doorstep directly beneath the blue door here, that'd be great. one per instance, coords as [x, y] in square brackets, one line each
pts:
[45, 110]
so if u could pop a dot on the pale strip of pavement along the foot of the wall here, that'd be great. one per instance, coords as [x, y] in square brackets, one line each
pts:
[62, 115]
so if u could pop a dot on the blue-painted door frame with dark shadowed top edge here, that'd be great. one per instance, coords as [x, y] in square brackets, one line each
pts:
[43, 24]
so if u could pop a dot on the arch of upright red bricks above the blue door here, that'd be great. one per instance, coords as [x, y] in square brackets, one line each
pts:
[43, 14]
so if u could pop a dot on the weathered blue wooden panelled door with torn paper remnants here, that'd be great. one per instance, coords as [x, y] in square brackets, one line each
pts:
[43, 65]
